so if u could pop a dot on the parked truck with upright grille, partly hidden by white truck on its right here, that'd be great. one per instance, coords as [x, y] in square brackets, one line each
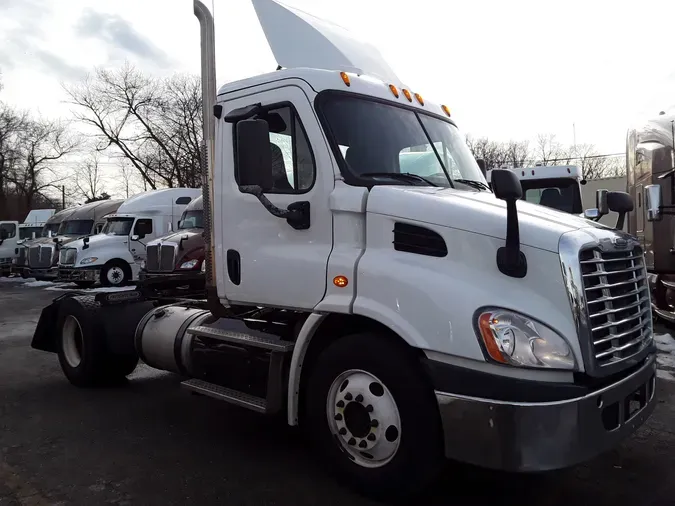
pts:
[87, 219]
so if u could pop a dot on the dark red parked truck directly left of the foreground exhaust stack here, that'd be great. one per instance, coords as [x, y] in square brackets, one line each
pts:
[176, 261]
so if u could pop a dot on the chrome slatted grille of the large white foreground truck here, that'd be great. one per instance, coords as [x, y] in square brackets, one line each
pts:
[618, 305]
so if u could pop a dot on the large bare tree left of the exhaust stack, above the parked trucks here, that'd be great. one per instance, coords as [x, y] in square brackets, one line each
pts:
[155, 124]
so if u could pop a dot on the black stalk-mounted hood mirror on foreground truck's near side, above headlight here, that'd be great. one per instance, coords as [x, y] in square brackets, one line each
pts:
[510, 260]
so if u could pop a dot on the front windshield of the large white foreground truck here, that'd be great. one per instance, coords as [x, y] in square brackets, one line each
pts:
[385, 144]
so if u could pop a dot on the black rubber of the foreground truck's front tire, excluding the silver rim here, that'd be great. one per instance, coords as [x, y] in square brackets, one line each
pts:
[419, 457]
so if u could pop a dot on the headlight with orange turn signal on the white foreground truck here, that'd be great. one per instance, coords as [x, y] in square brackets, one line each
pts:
[513, 339]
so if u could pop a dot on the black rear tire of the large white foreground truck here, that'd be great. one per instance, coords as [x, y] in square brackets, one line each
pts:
[97, 366]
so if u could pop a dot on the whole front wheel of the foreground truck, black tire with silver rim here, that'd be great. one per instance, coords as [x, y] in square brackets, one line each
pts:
[373, 416]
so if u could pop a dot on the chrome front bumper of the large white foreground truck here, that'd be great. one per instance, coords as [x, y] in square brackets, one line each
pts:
[542, 436]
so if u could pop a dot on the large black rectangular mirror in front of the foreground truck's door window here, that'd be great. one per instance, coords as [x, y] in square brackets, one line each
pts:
[254, 155]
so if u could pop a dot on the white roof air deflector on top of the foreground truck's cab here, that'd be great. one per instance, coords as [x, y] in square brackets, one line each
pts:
[298, 39]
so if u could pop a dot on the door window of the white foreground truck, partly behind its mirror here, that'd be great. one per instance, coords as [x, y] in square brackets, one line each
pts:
[293, 167]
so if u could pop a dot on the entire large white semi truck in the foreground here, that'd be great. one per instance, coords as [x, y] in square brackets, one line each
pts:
[397, 318]
